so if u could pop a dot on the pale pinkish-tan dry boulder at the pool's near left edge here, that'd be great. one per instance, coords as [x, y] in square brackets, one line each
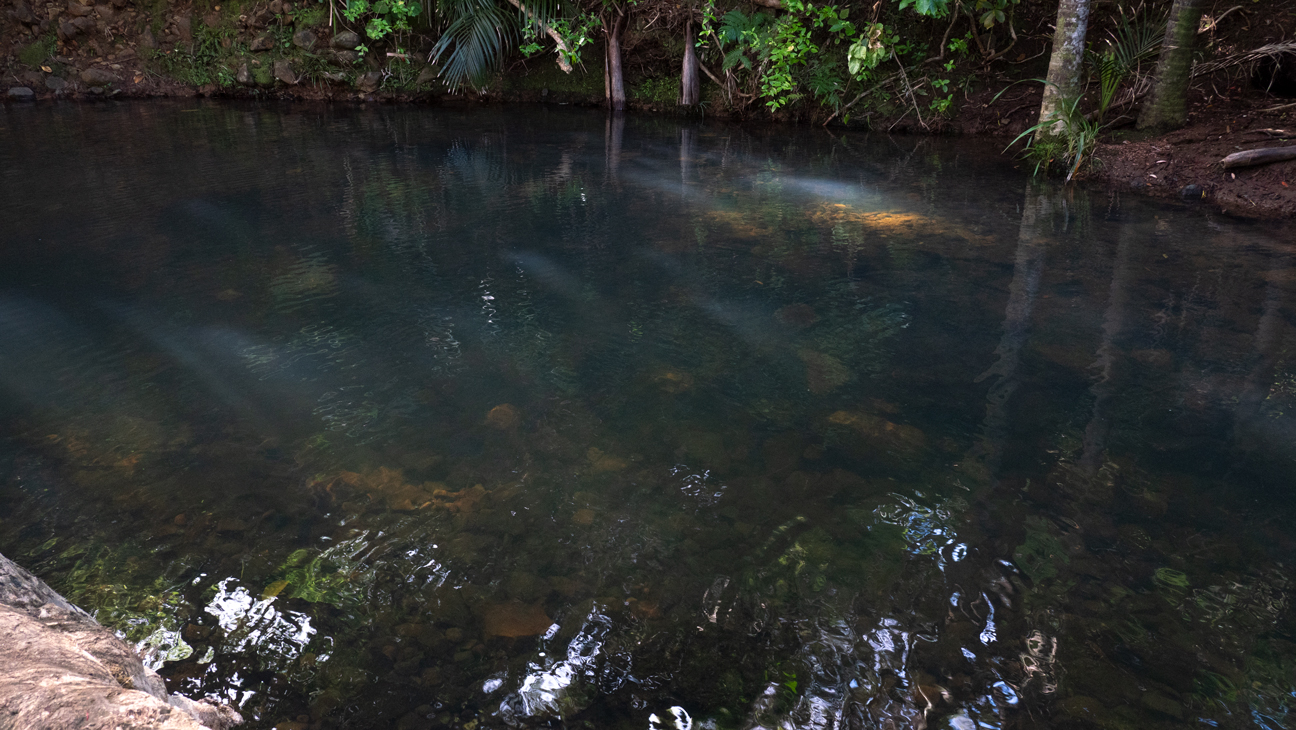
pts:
[60, 668]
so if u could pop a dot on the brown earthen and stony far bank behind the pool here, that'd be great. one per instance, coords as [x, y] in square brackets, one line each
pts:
[117, 50]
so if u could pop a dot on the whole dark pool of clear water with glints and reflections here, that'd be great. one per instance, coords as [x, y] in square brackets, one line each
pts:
[430, 418]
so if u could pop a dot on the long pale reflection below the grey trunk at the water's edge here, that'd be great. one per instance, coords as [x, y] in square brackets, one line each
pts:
[1027, 272]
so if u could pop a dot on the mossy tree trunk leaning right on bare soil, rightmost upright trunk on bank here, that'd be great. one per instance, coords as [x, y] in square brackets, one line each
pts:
[1168, 106]
